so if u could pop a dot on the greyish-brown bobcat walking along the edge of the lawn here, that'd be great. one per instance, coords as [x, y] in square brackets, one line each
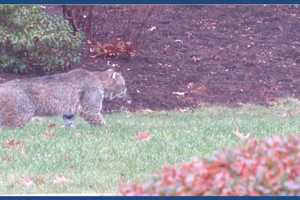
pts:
[78, 92]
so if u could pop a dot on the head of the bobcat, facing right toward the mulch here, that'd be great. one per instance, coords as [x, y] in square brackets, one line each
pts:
[114, 85]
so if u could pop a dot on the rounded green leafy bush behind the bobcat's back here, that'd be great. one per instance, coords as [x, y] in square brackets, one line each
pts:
[30, 39]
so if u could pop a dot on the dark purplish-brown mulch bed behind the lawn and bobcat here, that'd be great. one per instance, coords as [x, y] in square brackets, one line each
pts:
[189, 55]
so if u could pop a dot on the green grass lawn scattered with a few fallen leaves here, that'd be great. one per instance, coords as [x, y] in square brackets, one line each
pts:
[38, 159]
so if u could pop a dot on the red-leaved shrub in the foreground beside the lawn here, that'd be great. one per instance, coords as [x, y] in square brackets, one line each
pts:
[267, 167]
